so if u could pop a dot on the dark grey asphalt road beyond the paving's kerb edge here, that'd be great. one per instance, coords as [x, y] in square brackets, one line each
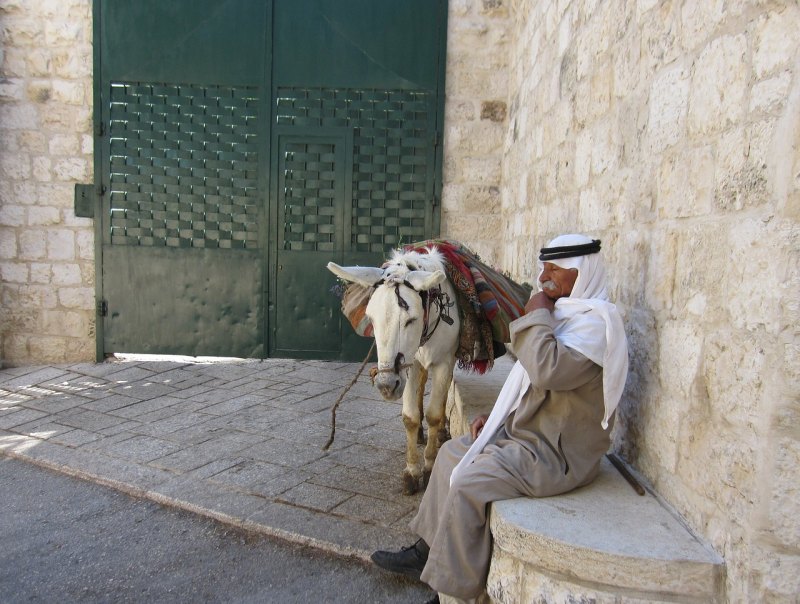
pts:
[66, 540]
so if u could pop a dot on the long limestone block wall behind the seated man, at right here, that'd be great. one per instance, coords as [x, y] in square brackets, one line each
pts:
[670, 129]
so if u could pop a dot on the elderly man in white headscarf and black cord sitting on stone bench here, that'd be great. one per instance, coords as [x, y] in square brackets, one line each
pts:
[547, 432]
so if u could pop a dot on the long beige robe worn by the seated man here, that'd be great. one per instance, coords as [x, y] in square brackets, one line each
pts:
[551, 444]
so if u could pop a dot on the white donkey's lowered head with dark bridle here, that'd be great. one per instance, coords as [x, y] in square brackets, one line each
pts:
[396, 311]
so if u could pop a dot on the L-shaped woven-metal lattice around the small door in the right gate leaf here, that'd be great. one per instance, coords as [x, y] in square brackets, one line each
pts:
[392, 139]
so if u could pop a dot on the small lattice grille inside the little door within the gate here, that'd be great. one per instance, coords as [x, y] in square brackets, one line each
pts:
[309, 196]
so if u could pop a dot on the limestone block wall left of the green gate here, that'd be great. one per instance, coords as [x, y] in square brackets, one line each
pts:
[46, 254]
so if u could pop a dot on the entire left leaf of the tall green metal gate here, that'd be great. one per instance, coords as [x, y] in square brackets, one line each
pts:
[183, 110]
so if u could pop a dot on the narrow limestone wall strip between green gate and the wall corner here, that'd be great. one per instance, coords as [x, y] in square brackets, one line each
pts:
[476, 116]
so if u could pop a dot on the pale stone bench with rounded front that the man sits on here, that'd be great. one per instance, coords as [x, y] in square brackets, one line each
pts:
[600, 543]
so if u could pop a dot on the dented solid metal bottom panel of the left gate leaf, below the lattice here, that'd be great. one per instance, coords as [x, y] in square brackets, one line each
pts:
[194, 302]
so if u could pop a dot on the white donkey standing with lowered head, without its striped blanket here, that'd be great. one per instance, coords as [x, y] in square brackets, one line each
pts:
[415, 337]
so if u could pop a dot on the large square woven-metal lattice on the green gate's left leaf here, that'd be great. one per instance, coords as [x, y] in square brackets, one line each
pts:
[184, 166]
